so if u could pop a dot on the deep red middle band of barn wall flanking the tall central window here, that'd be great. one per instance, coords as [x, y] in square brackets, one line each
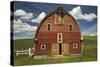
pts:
[51, 37]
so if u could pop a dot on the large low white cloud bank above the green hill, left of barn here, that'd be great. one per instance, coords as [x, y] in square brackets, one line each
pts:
[23, 30]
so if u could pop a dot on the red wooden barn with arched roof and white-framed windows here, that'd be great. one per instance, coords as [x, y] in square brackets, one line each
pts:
[58, 34]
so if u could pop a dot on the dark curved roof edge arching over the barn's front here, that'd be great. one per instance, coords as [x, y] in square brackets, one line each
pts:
[59, 9]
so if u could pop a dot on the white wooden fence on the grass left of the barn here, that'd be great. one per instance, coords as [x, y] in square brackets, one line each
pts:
[29, 52]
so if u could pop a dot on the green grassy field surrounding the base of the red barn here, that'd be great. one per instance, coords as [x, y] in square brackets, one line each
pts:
[90, 53]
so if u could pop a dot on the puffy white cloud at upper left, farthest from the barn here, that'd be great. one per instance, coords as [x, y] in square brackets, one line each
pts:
[23, 14]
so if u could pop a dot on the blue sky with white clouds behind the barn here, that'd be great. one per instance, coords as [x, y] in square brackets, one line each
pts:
[27, 15]
